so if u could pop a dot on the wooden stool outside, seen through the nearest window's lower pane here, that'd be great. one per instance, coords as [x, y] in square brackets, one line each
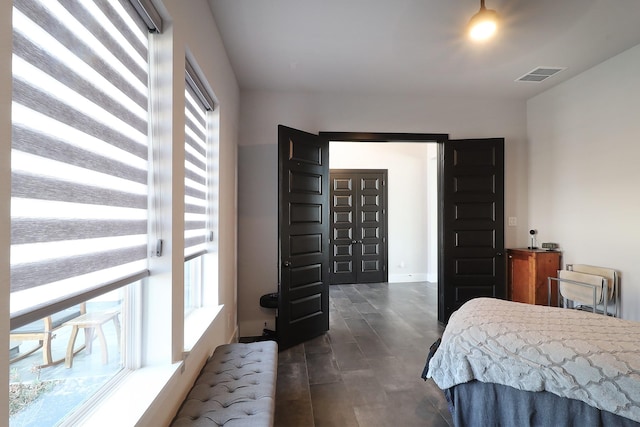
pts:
[91, 322]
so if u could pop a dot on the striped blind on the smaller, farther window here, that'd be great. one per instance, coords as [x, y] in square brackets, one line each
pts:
[196, 184]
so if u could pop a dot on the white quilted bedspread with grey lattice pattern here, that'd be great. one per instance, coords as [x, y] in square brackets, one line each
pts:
[574, 354]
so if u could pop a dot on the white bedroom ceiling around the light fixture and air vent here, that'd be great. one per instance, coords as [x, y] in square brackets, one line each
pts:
[418, 46]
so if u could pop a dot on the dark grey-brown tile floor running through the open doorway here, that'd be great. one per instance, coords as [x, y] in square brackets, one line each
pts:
[365, 372]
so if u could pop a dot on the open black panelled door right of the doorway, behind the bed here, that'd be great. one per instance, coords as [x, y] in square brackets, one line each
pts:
[472, 260]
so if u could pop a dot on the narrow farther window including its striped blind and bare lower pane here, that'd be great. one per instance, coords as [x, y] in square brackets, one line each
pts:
[198, 186]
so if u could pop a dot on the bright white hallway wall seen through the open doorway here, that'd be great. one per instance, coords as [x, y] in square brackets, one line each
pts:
[408, 214]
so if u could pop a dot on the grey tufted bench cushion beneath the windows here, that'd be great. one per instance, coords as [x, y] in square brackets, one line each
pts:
[236, 387]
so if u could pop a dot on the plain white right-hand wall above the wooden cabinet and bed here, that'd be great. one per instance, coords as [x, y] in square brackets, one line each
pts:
[584, 149]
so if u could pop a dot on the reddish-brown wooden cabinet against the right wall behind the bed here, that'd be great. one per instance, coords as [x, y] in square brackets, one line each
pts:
[527, 273]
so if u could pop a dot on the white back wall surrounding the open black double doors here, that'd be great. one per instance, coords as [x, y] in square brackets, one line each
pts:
[260, 114]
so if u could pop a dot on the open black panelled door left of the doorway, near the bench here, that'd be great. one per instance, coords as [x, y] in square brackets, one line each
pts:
[303, 287]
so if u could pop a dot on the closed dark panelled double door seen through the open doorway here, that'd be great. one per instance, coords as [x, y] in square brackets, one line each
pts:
[358, 226]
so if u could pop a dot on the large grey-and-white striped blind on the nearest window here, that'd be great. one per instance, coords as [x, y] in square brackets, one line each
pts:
[79, 152]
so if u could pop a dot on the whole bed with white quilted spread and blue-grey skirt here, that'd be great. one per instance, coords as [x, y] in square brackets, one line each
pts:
[507, 363]
